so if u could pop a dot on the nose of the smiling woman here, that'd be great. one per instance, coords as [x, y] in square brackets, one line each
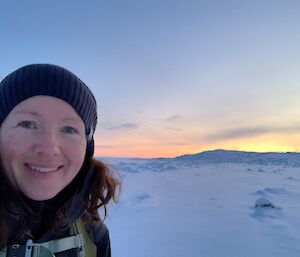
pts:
[47, 144]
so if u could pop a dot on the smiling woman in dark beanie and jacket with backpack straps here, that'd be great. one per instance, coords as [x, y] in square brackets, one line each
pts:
[51, 187]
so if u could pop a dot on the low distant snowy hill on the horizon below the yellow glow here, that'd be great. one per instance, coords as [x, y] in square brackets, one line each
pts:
[225, 156]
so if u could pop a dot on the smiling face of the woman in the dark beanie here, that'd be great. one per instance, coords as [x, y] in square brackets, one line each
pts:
[42, 146]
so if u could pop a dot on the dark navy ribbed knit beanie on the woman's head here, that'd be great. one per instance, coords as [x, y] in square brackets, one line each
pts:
[50, 80]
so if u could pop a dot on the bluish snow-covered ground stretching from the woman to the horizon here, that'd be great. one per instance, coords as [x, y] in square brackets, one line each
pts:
[186, 207]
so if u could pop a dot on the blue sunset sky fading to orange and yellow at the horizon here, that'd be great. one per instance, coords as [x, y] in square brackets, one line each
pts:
[171, 77]
